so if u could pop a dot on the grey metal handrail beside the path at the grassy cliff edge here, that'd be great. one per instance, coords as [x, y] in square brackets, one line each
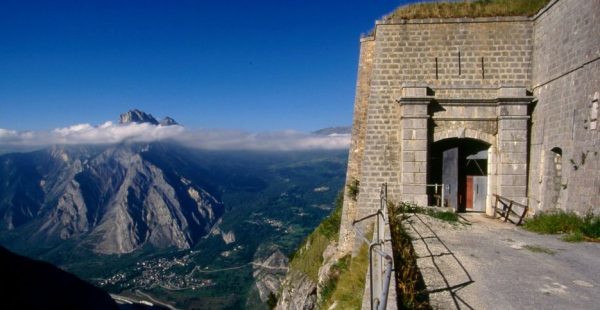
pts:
[379, 280]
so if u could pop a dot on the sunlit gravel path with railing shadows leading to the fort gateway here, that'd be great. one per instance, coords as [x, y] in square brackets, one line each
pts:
[488, 264]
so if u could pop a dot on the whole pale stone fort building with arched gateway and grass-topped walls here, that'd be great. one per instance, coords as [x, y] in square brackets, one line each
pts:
[502, 105]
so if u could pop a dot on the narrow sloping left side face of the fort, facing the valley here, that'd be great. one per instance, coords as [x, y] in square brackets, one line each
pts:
[357, 145]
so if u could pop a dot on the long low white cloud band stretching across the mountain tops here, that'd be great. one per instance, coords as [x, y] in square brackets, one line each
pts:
[109, 133]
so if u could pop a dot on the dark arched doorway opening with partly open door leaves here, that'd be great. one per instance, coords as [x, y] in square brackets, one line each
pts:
[461, 165]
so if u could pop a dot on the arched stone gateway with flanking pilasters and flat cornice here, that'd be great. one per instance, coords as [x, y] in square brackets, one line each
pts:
[476, 147]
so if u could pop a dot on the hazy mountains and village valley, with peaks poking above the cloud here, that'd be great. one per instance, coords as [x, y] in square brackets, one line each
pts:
[150, 217]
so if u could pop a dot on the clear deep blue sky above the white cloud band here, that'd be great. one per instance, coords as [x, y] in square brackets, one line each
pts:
[248, 65]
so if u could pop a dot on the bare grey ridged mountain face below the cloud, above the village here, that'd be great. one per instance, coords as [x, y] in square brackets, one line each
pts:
[113, 197]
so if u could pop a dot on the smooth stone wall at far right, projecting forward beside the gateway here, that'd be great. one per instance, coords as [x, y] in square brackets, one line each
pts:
[566, 84]
